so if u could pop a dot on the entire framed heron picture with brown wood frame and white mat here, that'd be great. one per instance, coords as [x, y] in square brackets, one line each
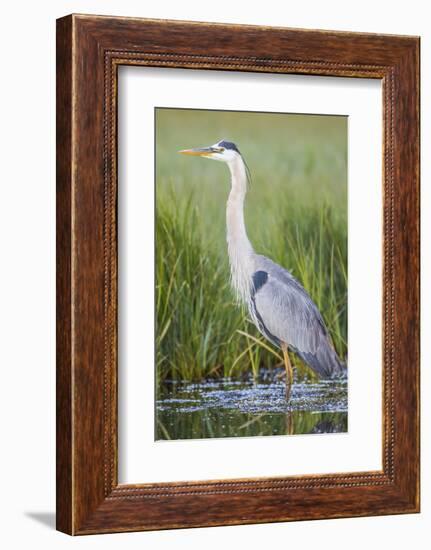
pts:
[237, 341]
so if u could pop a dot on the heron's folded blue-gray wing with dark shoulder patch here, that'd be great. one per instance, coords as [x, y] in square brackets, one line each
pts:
[288, 314]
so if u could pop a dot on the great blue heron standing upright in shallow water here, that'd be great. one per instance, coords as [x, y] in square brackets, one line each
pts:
[280, 307]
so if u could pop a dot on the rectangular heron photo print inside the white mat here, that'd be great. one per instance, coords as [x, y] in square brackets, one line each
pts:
[251, 274]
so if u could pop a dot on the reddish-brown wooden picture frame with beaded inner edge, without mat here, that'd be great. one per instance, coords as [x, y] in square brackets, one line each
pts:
[89, 51]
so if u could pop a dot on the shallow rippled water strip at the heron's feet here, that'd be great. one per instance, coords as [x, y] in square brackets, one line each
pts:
[232, 408]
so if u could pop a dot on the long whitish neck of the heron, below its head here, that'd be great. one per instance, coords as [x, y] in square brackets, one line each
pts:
[239, 247]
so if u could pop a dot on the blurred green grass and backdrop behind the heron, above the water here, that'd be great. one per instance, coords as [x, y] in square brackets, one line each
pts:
[296, 213]
